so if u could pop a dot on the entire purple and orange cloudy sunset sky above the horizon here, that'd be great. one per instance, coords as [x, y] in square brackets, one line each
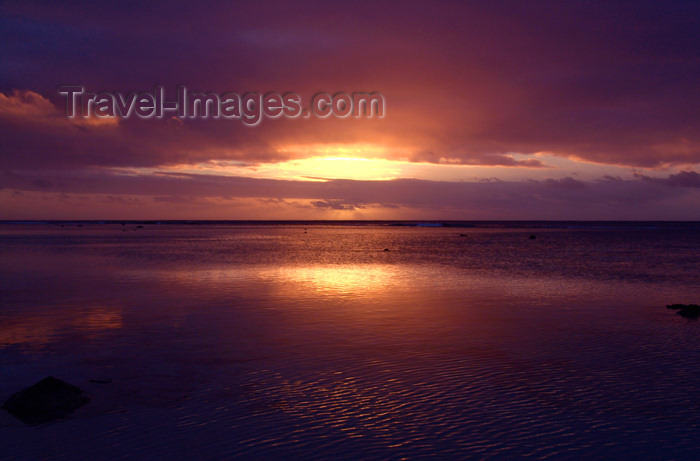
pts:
[494, 110]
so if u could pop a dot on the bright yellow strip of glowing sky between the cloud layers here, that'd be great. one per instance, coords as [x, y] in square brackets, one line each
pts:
[377, 162]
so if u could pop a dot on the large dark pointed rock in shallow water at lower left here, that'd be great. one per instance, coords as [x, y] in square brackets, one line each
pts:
[45, 401]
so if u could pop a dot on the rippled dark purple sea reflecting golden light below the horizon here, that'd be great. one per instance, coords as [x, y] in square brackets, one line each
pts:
[308, 340]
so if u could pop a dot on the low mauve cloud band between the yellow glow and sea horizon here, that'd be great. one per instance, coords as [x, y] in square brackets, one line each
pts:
[198, 196]
